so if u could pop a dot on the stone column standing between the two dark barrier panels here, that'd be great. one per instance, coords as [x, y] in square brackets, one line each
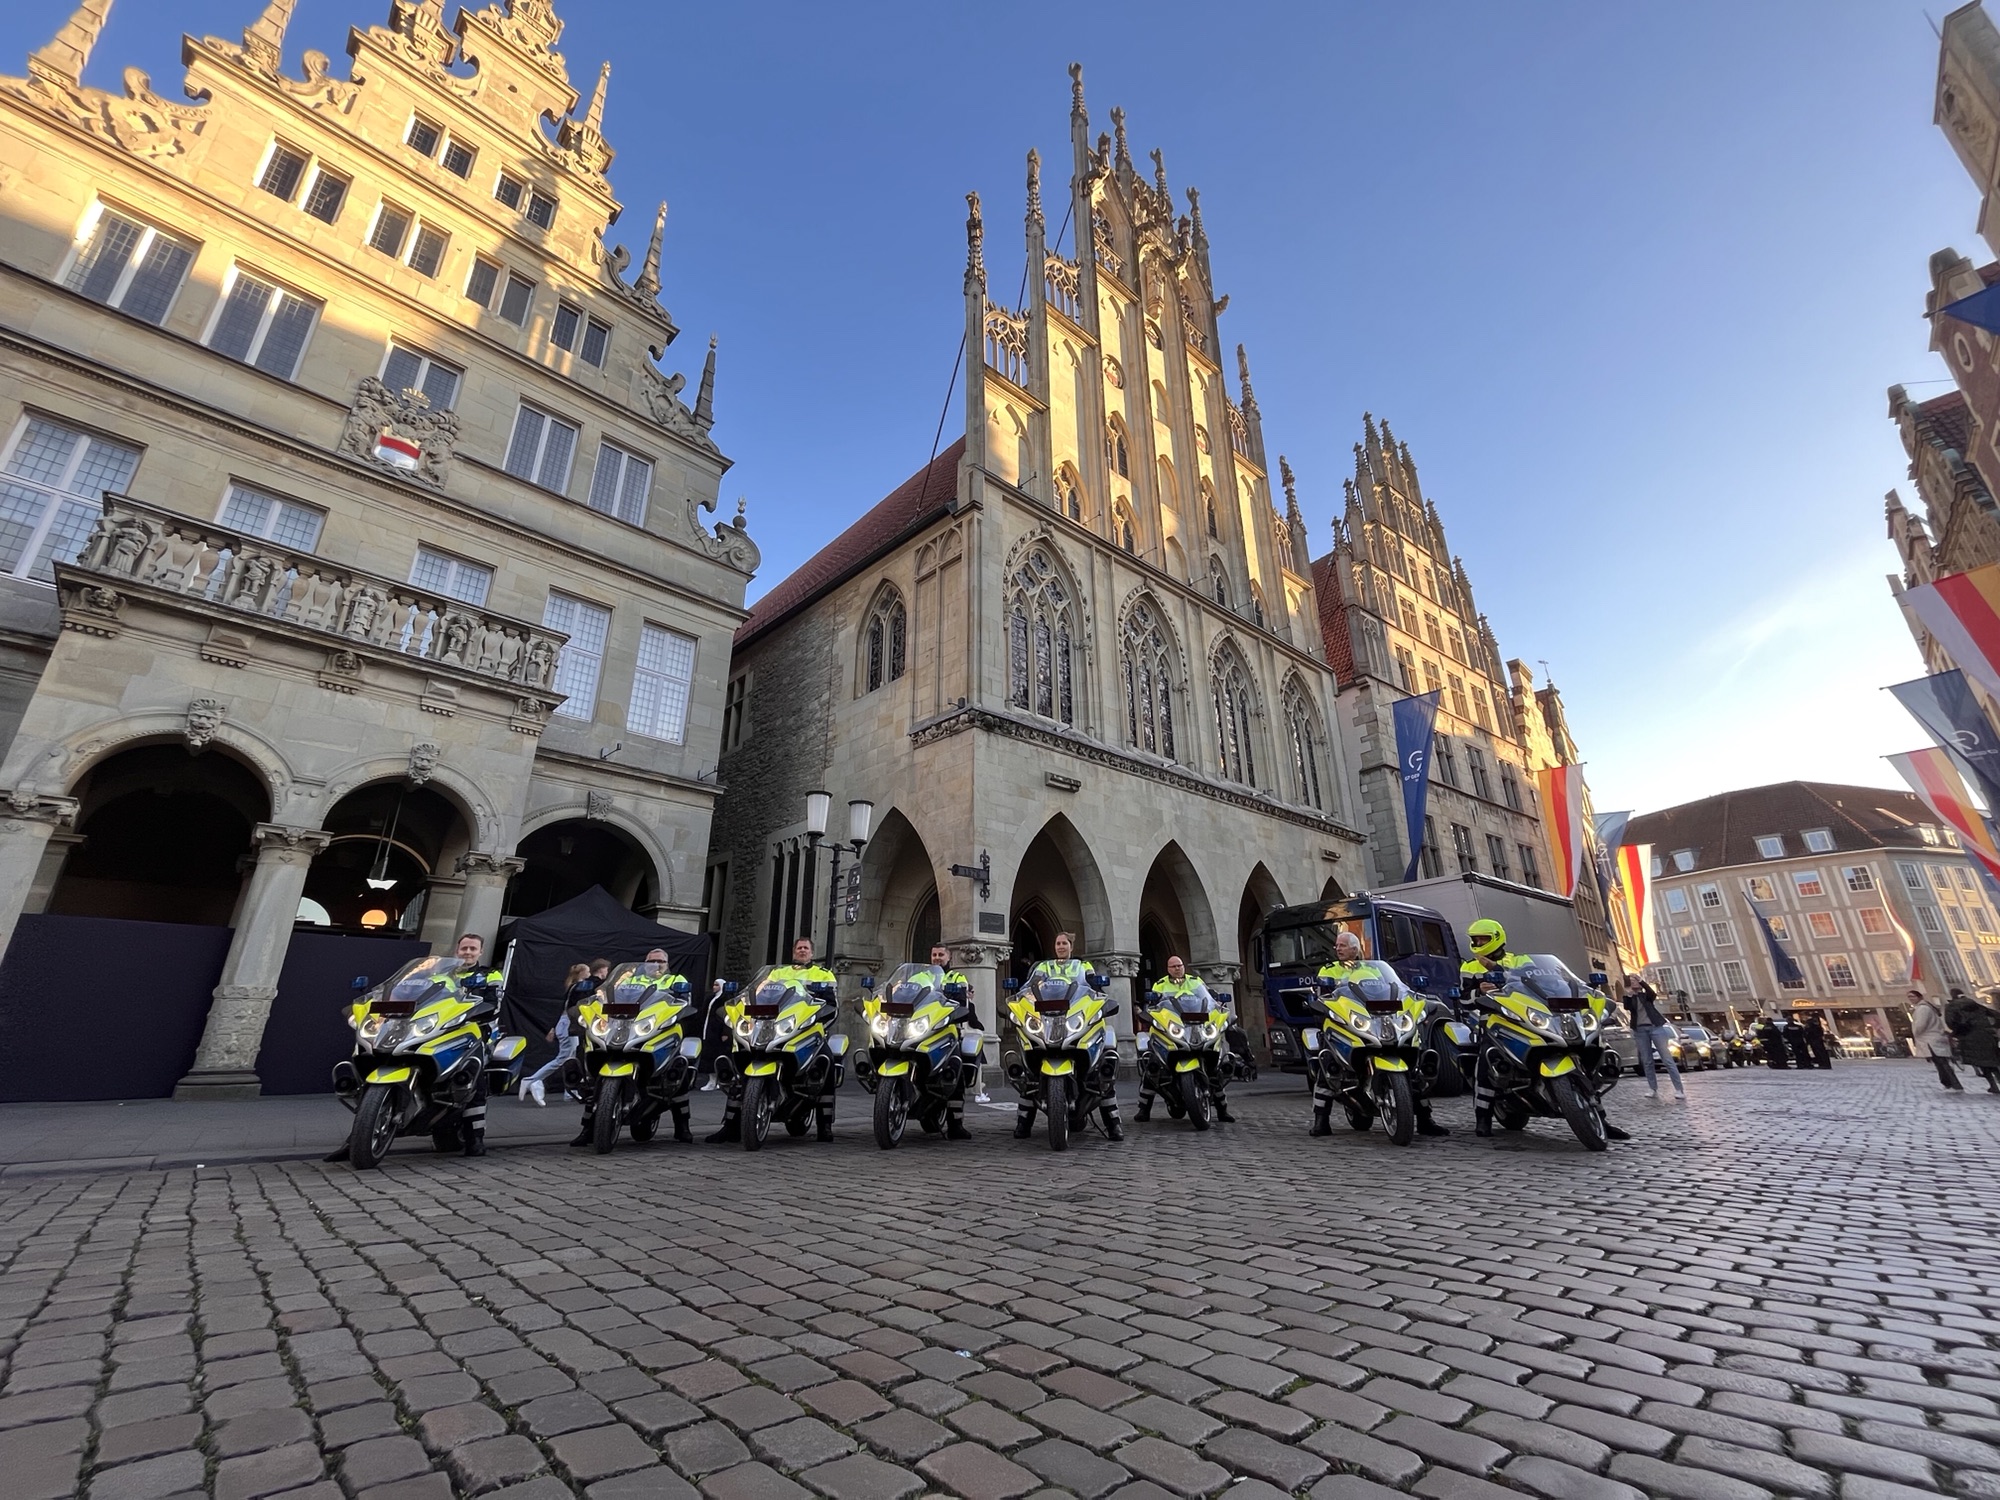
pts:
[225, 1065]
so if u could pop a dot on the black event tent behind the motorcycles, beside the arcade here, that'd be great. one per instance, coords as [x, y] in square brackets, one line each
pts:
[583, 929]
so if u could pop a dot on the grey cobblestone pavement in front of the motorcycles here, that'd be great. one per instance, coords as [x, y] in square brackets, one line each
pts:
[1785, 1287]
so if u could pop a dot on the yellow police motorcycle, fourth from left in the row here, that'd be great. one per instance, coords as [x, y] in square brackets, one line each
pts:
[923, 1049]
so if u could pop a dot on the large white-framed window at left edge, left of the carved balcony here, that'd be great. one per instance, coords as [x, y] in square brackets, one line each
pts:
[53, 483]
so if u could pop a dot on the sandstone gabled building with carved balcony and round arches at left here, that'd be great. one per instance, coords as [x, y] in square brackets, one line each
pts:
[353, 545]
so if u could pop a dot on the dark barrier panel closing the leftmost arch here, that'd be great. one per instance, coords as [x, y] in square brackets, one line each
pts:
[139, 991]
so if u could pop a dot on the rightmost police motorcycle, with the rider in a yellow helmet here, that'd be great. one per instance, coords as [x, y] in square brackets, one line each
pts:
[1543, 1049]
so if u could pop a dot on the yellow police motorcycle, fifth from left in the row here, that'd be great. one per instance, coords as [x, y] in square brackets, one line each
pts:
[1069, 1059]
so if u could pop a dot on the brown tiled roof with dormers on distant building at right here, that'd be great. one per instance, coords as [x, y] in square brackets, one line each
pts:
[1723, 829]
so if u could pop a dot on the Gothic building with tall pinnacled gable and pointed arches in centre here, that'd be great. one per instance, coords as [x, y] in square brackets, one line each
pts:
[1079, 653]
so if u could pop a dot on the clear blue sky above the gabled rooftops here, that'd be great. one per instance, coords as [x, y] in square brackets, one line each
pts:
[1631, 281]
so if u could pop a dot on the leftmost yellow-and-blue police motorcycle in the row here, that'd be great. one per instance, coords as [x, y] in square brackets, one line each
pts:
[421, 1049]
